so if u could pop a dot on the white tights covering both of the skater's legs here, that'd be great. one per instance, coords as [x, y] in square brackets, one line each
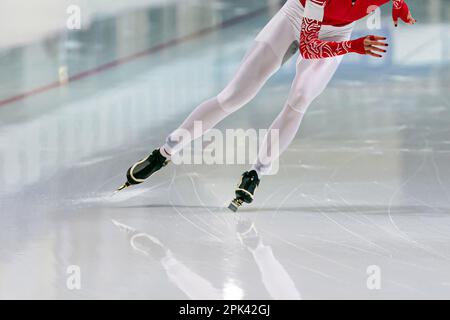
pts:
[261, 62]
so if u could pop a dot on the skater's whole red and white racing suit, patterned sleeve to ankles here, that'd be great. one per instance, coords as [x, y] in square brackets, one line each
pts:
[323, 29]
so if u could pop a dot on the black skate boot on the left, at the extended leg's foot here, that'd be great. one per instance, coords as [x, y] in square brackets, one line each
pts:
[143, 169]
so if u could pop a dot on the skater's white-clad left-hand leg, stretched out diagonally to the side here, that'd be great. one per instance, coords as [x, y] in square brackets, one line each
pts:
[261, 61]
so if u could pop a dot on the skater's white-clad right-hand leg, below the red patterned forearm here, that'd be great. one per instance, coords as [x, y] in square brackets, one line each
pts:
[312, 77]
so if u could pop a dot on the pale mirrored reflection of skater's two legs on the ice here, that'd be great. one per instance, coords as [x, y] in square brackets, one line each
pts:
[274, 277]
